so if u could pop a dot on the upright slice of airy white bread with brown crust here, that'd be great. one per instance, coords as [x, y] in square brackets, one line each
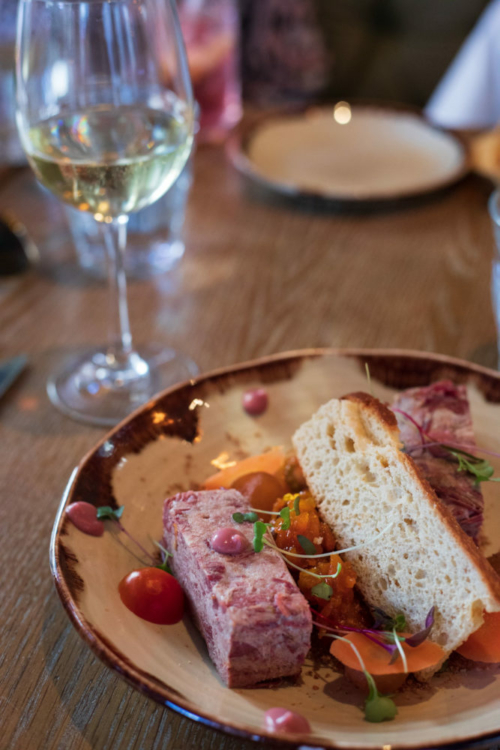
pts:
[361, 480]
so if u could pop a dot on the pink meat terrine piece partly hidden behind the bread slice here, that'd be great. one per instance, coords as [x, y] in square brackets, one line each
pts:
[442, 410]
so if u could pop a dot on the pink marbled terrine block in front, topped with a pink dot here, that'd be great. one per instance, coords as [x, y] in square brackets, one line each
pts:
[256, 623]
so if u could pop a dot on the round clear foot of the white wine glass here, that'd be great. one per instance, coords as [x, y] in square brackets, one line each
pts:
[87, 391]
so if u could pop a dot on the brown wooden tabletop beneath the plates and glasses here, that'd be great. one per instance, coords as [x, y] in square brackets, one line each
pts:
[256, 278]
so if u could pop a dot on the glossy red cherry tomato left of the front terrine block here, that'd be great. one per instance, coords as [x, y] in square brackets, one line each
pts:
[154, 595]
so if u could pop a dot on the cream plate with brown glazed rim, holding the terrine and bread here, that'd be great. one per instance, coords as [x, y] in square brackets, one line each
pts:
[169, 445]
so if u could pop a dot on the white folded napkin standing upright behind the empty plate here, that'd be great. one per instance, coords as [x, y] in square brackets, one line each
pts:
[468, 96]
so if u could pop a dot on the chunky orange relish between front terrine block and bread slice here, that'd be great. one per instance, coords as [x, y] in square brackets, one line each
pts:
[344, 607]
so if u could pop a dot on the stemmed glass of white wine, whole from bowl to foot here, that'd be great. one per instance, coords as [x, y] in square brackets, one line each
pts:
[105, 114]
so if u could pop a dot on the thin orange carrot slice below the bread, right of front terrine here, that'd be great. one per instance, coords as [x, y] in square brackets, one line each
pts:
[377, 659]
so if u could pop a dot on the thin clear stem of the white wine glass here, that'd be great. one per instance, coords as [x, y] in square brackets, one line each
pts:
[119, 336]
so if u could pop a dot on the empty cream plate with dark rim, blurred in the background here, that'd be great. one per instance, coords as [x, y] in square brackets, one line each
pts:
[351, 154]
